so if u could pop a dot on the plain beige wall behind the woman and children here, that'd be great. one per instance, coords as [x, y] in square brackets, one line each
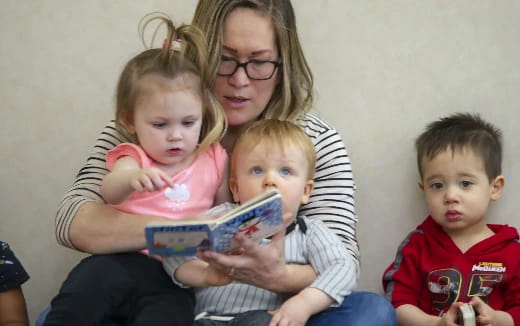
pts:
[383, 70]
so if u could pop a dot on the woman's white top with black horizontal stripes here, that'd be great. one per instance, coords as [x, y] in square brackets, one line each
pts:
[332, 200]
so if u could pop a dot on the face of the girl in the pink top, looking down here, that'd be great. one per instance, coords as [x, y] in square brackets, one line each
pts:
[167, 120]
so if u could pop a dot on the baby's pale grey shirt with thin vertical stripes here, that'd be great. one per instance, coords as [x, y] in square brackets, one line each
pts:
[336, 272]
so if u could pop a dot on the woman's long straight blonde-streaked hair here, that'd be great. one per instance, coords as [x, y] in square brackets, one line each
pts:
[293, 94]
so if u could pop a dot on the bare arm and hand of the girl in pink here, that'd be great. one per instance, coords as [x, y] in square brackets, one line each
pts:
[127, 176]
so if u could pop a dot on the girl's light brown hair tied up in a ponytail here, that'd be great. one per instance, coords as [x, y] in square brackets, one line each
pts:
[171, 62]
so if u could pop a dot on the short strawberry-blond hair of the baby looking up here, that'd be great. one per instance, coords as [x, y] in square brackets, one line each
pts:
[275, 134]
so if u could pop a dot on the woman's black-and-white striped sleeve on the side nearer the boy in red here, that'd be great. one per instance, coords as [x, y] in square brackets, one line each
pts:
[332, 200]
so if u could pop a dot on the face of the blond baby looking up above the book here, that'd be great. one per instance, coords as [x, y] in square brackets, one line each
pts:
[264, 168]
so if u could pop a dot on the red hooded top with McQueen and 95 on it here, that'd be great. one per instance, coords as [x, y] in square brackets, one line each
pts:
[430, 272]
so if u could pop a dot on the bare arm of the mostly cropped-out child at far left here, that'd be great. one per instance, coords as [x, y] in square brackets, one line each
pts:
[13, 311]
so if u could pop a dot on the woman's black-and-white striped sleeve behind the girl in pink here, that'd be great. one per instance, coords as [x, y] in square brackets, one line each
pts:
[87, 183]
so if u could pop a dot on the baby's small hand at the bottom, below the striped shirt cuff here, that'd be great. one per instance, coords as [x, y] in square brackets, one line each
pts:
[292, 313]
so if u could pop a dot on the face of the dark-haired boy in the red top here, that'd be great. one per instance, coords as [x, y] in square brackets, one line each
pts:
[458, 191]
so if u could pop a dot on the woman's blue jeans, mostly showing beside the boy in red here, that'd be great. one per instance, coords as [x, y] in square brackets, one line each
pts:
[360, 308]
